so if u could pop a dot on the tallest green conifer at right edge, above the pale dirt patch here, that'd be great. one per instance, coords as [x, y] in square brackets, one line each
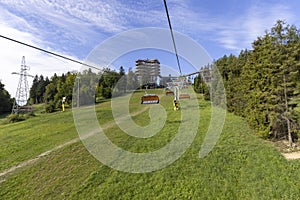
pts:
[269, 77]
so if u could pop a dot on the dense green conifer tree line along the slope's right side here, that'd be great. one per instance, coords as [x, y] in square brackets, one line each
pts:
[263, 84]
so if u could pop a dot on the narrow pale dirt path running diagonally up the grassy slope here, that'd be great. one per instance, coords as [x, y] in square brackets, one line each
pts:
[33, 160]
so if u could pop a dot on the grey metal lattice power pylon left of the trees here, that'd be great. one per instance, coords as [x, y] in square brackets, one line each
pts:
[22, 93]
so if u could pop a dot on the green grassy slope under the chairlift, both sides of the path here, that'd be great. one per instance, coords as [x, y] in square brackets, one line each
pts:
[241, 166]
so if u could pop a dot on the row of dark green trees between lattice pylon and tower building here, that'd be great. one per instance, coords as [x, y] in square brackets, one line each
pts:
[92, 86]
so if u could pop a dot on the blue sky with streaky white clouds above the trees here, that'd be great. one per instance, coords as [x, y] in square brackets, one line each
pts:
[75, 27]
